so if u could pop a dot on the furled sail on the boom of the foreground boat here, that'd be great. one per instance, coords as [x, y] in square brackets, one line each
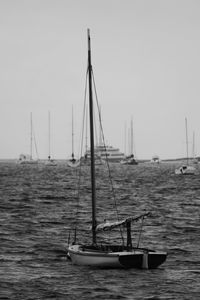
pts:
[110, 225]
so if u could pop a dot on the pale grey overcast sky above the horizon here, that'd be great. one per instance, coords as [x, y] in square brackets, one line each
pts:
[146, 63]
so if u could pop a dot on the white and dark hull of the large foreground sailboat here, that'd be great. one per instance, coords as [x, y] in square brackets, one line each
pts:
[135, 258]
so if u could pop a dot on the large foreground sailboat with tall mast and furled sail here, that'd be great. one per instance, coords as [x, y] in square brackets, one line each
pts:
[95, 253]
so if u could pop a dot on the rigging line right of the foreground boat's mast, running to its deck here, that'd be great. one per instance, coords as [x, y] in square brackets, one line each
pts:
[109, 172]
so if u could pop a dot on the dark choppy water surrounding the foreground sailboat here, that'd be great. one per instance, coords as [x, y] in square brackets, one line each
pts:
[37, 207]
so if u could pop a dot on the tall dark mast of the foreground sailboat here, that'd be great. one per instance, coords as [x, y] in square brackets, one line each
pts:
[92, 143]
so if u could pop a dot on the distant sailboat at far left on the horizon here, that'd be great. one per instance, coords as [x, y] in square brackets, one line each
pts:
[27, 159]
